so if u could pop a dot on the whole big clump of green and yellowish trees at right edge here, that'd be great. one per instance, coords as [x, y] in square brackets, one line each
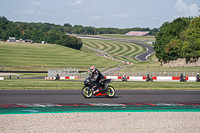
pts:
[178, 39]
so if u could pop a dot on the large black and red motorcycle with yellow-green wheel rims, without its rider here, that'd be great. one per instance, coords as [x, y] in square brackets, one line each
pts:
[104, 89]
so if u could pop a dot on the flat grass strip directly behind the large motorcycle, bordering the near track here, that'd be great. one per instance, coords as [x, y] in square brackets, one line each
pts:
[52, 84]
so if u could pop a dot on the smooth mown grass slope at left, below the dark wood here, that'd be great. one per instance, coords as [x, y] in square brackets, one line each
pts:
[21, 56]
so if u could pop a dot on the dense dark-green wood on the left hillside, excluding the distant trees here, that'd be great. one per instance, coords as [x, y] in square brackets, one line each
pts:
[37, 32]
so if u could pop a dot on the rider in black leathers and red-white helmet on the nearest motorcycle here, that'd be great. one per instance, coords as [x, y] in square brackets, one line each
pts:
[96, 77]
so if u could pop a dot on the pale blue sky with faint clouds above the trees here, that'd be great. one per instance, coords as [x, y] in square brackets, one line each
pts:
[100, 13]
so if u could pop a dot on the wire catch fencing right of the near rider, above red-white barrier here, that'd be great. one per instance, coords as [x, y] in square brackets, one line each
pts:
[154, 71]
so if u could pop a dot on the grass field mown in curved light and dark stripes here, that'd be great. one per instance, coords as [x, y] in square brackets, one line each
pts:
[119, 50]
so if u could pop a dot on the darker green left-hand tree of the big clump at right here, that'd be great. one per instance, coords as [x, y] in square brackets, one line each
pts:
[165, 39]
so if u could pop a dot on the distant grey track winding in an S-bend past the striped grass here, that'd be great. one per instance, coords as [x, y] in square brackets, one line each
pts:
[140, 57]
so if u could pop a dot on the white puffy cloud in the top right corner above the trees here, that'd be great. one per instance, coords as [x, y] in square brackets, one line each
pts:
[186, 10]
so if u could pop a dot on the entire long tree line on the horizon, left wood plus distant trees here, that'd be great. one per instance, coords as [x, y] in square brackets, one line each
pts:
[56, 34]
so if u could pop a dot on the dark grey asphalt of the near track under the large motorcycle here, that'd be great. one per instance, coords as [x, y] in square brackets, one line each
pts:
[122, 96]
